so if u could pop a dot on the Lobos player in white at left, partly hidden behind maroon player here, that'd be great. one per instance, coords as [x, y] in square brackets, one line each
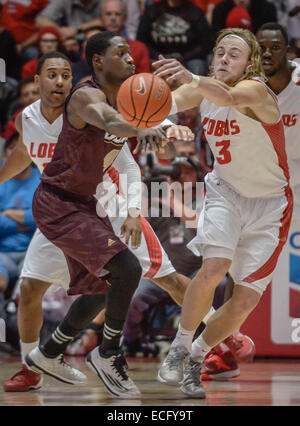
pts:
[39, 127]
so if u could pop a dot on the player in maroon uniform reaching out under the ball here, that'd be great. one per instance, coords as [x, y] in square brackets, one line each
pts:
[89, 243]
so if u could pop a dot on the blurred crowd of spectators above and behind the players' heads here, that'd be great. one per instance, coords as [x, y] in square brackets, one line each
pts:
[184, 29]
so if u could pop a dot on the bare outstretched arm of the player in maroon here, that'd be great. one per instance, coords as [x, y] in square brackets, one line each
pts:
[88, 105]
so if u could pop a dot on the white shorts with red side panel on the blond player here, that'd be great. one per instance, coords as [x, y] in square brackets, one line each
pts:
[249, 231]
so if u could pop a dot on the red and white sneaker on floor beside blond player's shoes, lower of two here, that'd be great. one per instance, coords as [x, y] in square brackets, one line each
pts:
[220, 364]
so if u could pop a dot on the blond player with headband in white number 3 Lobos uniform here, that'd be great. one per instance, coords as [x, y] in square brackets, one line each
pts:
[248, 205]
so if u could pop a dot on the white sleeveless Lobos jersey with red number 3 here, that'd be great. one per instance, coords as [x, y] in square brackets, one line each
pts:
[249, 156]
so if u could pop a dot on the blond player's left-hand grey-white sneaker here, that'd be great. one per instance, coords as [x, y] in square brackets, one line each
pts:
[171, 370]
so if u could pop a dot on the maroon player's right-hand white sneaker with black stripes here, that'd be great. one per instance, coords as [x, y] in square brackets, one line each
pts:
[112, 372]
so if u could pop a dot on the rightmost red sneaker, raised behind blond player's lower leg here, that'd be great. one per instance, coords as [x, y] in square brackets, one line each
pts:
[242, 347]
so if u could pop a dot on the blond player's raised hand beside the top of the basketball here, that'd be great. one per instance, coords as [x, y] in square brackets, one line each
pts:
[172, 71]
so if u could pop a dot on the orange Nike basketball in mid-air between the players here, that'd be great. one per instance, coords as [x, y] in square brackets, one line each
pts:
[144, 100]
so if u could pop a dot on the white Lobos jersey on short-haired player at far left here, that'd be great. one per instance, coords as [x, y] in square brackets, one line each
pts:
[39, 136]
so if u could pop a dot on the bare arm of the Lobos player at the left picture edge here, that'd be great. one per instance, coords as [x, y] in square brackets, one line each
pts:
[19, 159]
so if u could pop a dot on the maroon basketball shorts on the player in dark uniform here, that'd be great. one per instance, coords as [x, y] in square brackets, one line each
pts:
[87, 241]
